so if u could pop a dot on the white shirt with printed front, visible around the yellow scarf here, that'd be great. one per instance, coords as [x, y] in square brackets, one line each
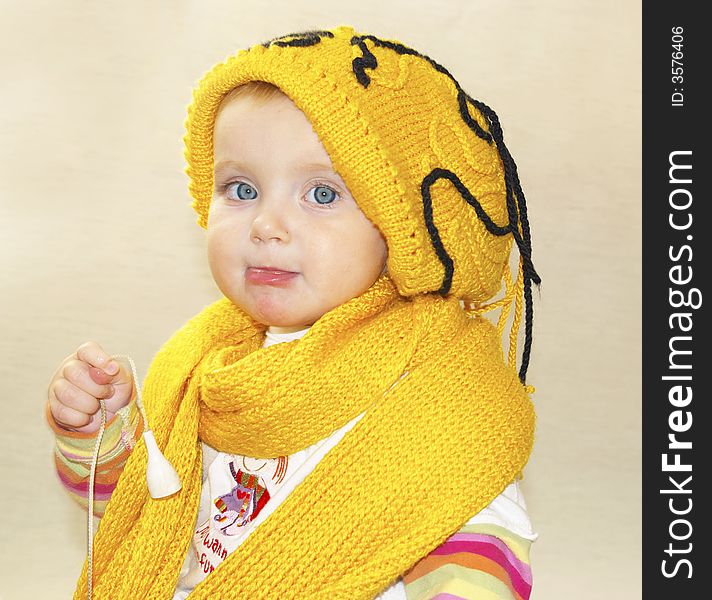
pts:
[240, 492]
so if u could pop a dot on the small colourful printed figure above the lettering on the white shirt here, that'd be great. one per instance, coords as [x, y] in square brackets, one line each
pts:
[242, 504]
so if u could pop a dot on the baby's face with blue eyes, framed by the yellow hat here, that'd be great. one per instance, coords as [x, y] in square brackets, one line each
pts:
[286, 240]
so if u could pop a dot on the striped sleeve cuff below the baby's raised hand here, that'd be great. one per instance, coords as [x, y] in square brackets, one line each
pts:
[73, 453]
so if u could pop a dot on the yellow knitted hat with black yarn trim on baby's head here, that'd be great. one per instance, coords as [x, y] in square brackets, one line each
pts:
[425, 162]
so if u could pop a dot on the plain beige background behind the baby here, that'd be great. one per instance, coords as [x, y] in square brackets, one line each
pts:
[99, 242]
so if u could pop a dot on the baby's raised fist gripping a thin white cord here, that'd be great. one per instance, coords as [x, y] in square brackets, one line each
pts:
[83, 378]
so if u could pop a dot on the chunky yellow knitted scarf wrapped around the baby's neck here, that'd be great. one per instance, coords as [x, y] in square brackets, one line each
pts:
[447, 427]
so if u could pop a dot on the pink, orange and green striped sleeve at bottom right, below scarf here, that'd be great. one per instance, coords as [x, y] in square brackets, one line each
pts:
[480, 561]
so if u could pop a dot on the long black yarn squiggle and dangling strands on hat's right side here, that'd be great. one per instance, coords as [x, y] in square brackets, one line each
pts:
[516, 203]
